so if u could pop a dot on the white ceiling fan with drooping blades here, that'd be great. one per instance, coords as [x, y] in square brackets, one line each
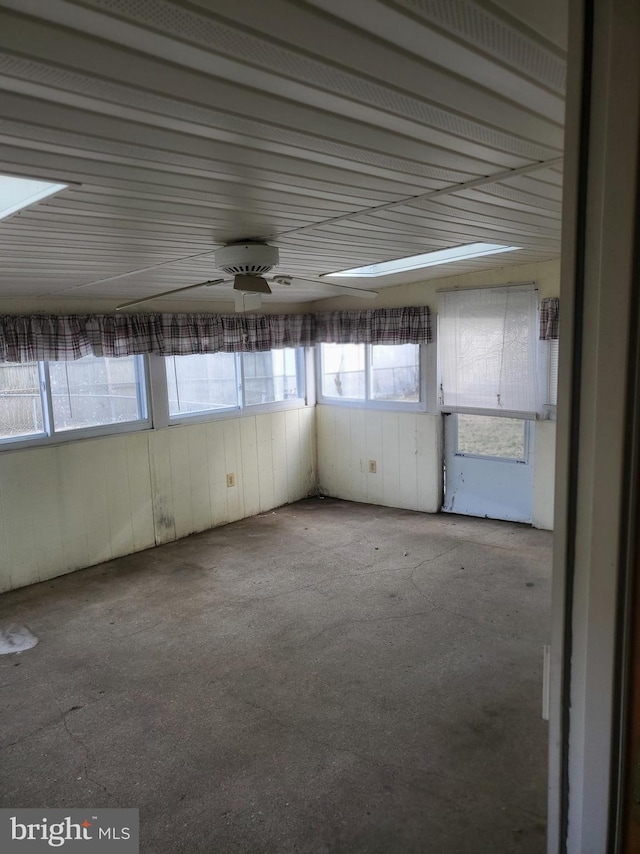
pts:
[248, 263]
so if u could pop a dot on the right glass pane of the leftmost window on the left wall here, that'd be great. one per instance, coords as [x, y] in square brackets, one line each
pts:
[94, 391]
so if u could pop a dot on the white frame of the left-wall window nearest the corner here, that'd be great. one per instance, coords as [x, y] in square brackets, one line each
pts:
[242, 408]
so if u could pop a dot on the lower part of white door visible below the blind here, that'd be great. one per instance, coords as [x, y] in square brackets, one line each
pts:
[489, 466]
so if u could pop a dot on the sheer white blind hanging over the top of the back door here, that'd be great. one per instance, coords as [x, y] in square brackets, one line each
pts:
[487, 346]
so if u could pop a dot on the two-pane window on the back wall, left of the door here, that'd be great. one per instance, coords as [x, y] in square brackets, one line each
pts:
[384, 373]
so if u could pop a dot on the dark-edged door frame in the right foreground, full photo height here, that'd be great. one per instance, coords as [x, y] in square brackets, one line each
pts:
[597, 430]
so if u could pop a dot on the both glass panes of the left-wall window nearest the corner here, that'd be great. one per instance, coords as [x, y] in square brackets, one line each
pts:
[216, 382]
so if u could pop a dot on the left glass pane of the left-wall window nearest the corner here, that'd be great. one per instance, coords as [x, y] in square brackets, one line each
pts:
[201, 383]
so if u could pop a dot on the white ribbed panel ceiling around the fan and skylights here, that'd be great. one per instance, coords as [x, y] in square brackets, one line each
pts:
[345, 132]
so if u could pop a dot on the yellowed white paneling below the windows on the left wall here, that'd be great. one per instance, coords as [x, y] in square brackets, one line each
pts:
[68, 506]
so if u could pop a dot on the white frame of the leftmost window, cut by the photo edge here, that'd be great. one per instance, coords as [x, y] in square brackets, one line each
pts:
[51, 436]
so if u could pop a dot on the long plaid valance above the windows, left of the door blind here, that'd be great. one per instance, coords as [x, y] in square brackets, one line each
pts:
[32, 338]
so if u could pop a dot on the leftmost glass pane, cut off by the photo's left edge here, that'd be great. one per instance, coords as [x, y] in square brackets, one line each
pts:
[20, 403]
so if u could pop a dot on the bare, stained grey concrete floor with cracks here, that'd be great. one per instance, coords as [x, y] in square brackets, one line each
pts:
[329, 677]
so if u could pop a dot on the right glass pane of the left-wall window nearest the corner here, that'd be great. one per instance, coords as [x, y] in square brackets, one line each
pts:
[270, 376]
